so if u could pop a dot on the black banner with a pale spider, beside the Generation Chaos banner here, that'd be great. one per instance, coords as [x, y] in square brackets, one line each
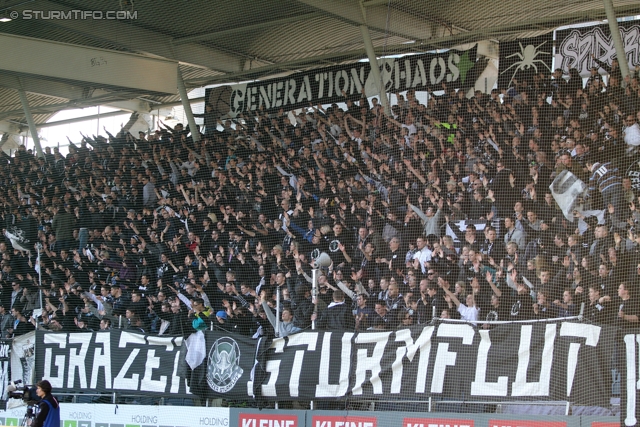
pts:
[522, 58]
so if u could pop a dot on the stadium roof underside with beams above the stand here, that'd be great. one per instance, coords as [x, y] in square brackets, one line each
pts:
[234, 40]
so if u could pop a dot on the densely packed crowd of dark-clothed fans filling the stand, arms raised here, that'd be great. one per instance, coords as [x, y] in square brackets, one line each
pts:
[438, 210]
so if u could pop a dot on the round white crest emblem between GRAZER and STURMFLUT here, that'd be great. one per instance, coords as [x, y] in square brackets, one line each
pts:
[223, 365]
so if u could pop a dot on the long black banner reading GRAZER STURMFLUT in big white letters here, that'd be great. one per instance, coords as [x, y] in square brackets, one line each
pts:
[539, 361]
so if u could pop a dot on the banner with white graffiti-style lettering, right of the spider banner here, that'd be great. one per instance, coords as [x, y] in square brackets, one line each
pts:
[574, 46]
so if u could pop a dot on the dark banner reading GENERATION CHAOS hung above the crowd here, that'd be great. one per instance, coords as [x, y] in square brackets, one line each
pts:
[325, 85]
